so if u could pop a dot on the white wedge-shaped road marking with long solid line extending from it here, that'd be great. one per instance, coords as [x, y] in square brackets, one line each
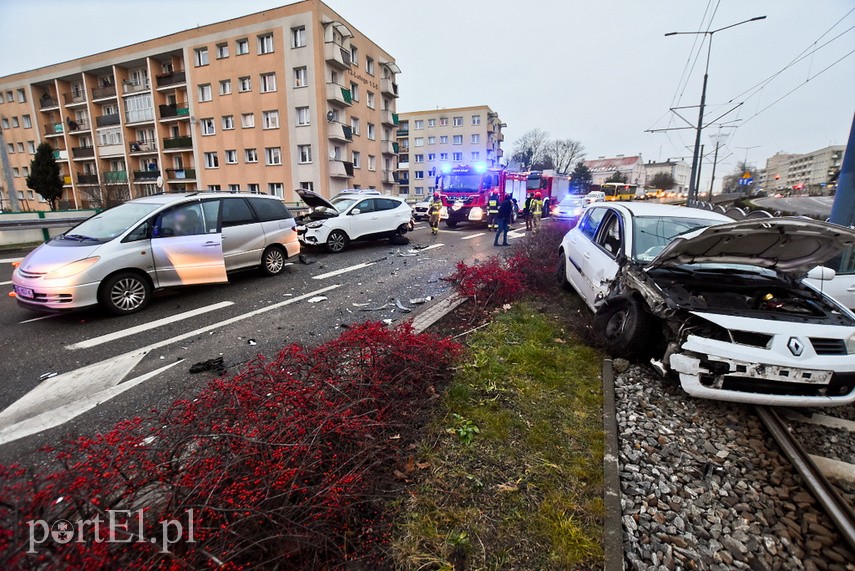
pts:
[95, 384]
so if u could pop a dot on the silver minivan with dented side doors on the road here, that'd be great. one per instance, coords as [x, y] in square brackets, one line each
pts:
[118, 257]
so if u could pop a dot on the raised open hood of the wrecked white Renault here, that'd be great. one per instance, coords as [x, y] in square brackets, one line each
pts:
[788, 245]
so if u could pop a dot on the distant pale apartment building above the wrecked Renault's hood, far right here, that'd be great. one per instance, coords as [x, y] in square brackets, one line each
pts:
[812, 171]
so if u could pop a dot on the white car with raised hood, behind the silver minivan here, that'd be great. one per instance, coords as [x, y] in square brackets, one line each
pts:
[338, 222]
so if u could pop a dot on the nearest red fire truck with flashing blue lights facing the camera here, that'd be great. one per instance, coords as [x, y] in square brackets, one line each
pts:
[465, 191]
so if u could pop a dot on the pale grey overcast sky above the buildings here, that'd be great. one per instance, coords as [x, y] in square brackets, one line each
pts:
[598, 71]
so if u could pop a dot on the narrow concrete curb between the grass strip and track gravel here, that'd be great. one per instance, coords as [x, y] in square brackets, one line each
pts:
[612, 530]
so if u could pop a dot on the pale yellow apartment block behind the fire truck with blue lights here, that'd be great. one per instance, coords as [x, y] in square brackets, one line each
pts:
[427, 140]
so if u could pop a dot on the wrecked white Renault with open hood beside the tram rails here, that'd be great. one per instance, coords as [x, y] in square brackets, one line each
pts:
[719, 304]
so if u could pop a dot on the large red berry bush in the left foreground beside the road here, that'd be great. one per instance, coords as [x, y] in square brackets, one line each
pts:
[286, 465]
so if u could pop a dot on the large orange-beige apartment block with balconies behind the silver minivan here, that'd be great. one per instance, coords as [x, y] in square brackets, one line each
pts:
[293, 97]
